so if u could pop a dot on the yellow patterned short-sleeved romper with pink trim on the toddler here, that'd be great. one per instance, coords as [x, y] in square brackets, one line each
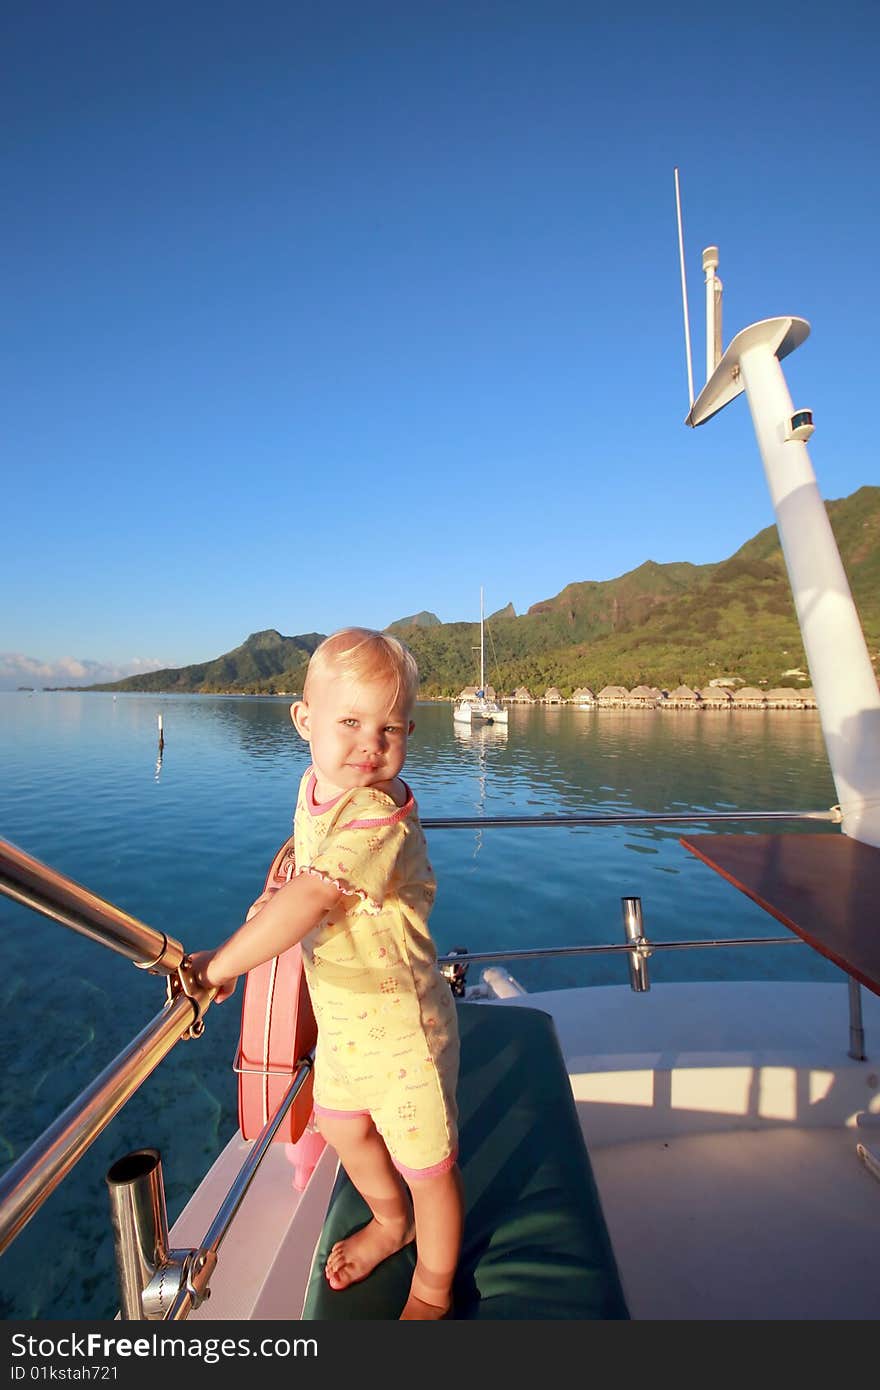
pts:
[389, 1042]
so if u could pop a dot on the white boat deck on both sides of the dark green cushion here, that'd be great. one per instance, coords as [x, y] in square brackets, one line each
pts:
[722, 1124]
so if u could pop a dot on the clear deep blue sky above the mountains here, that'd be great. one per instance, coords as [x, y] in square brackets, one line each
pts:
[326, 313]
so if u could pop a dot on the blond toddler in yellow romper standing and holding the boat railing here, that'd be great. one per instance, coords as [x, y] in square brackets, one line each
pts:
[387, 1057]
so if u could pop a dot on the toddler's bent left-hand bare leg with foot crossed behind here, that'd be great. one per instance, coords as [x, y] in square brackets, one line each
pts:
[368, 1163]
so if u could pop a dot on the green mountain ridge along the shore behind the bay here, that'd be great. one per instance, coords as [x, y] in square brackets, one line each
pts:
[661, 625]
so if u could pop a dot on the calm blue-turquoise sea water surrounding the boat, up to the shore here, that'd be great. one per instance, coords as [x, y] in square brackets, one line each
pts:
[186, 847]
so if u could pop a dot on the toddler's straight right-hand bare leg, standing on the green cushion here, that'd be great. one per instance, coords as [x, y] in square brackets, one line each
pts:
[439, 1204]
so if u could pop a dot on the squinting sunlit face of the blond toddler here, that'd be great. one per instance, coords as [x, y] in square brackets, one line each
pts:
[358, 736]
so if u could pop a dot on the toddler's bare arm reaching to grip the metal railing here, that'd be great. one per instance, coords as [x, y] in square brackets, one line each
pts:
[291, 914]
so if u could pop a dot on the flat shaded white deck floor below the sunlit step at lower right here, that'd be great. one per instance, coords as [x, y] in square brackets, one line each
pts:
[744, 1225]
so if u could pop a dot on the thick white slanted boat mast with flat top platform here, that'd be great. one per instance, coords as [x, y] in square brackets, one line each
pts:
[845, 680]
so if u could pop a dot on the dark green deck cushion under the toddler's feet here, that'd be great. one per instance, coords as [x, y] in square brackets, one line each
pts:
[536, 1243]
